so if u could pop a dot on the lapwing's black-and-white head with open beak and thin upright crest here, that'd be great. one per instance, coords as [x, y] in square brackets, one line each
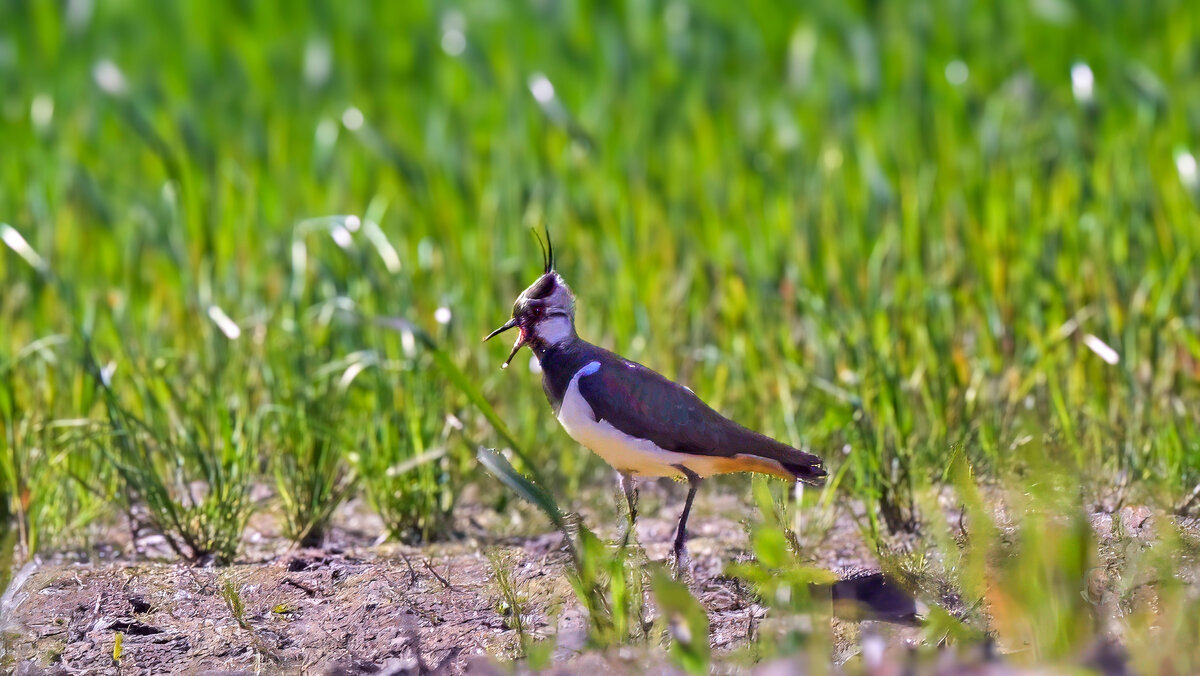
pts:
[544, 313]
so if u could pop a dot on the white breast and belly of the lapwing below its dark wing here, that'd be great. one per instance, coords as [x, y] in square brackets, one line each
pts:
[623, 452]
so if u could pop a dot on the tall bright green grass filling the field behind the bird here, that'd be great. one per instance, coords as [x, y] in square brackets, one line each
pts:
[910, 237]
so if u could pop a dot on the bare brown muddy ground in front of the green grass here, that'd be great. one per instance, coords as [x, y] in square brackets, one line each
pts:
[356, 607]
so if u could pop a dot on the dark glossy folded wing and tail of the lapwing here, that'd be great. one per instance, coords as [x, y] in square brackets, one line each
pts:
[646, 405]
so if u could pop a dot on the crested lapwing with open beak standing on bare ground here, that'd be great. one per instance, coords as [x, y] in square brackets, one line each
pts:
[638, 421]
